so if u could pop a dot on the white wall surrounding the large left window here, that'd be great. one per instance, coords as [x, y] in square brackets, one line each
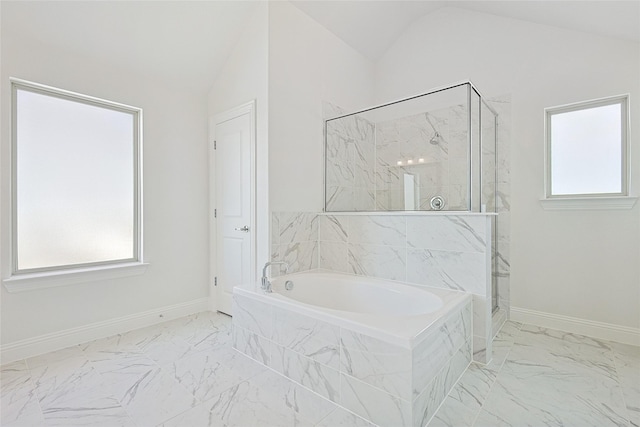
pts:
[175, 196]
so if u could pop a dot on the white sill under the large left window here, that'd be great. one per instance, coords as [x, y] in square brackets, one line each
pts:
[50, 279]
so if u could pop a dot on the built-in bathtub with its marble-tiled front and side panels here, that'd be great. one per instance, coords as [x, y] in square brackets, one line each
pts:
[387, 351]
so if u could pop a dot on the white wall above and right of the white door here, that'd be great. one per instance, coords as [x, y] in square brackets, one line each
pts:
[244, 78]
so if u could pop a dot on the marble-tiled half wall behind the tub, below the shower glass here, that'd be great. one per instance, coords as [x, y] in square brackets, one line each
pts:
[443, 250]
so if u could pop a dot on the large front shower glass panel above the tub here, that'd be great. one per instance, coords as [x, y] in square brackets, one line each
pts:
[405, 156]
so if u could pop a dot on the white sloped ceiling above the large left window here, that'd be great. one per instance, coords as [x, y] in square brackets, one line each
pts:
[185, 42]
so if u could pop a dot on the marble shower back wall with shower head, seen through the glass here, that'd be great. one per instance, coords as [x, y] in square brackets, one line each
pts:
[433, 148]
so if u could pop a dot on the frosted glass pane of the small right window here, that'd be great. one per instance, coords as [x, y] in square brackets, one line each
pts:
[586, 151]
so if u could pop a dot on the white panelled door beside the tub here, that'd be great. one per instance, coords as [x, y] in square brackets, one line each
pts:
[233, 147]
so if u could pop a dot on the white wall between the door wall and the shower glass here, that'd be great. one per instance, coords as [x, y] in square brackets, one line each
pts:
[307, 65]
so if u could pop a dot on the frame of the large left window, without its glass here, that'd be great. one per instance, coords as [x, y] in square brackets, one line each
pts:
[82, 270]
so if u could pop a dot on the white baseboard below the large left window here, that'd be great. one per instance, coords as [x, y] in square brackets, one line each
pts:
[58, 340]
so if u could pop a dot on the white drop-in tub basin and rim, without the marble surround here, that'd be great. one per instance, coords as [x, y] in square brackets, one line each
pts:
[394, 312]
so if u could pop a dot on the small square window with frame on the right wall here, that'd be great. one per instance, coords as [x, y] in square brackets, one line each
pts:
[587, 149]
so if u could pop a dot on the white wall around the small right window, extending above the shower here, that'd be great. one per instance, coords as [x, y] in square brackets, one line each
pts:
[582, 264]
